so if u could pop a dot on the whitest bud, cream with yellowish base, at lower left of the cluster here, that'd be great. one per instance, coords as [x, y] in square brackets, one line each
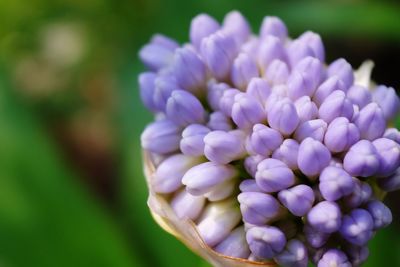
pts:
[218, 220]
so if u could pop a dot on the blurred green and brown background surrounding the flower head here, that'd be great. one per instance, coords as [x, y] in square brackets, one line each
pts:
[72, 192]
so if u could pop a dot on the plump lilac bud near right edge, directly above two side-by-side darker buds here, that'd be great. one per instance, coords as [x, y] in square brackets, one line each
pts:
[371, 122]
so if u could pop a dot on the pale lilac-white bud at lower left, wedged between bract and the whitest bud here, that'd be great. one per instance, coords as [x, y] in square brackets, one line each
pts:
[185, 205]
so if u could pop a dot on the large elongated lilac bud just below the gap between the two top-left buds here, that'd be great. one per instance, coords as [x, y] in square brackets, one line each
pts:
[218, 51]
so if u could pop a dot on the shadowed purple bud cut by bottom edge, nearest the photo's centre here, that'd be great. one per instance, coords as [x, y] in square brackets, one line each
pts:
[295, 255]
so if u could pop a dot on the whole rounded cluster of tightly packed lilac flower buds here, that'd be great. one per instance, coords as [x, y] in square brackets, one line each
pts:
[272, 153]
